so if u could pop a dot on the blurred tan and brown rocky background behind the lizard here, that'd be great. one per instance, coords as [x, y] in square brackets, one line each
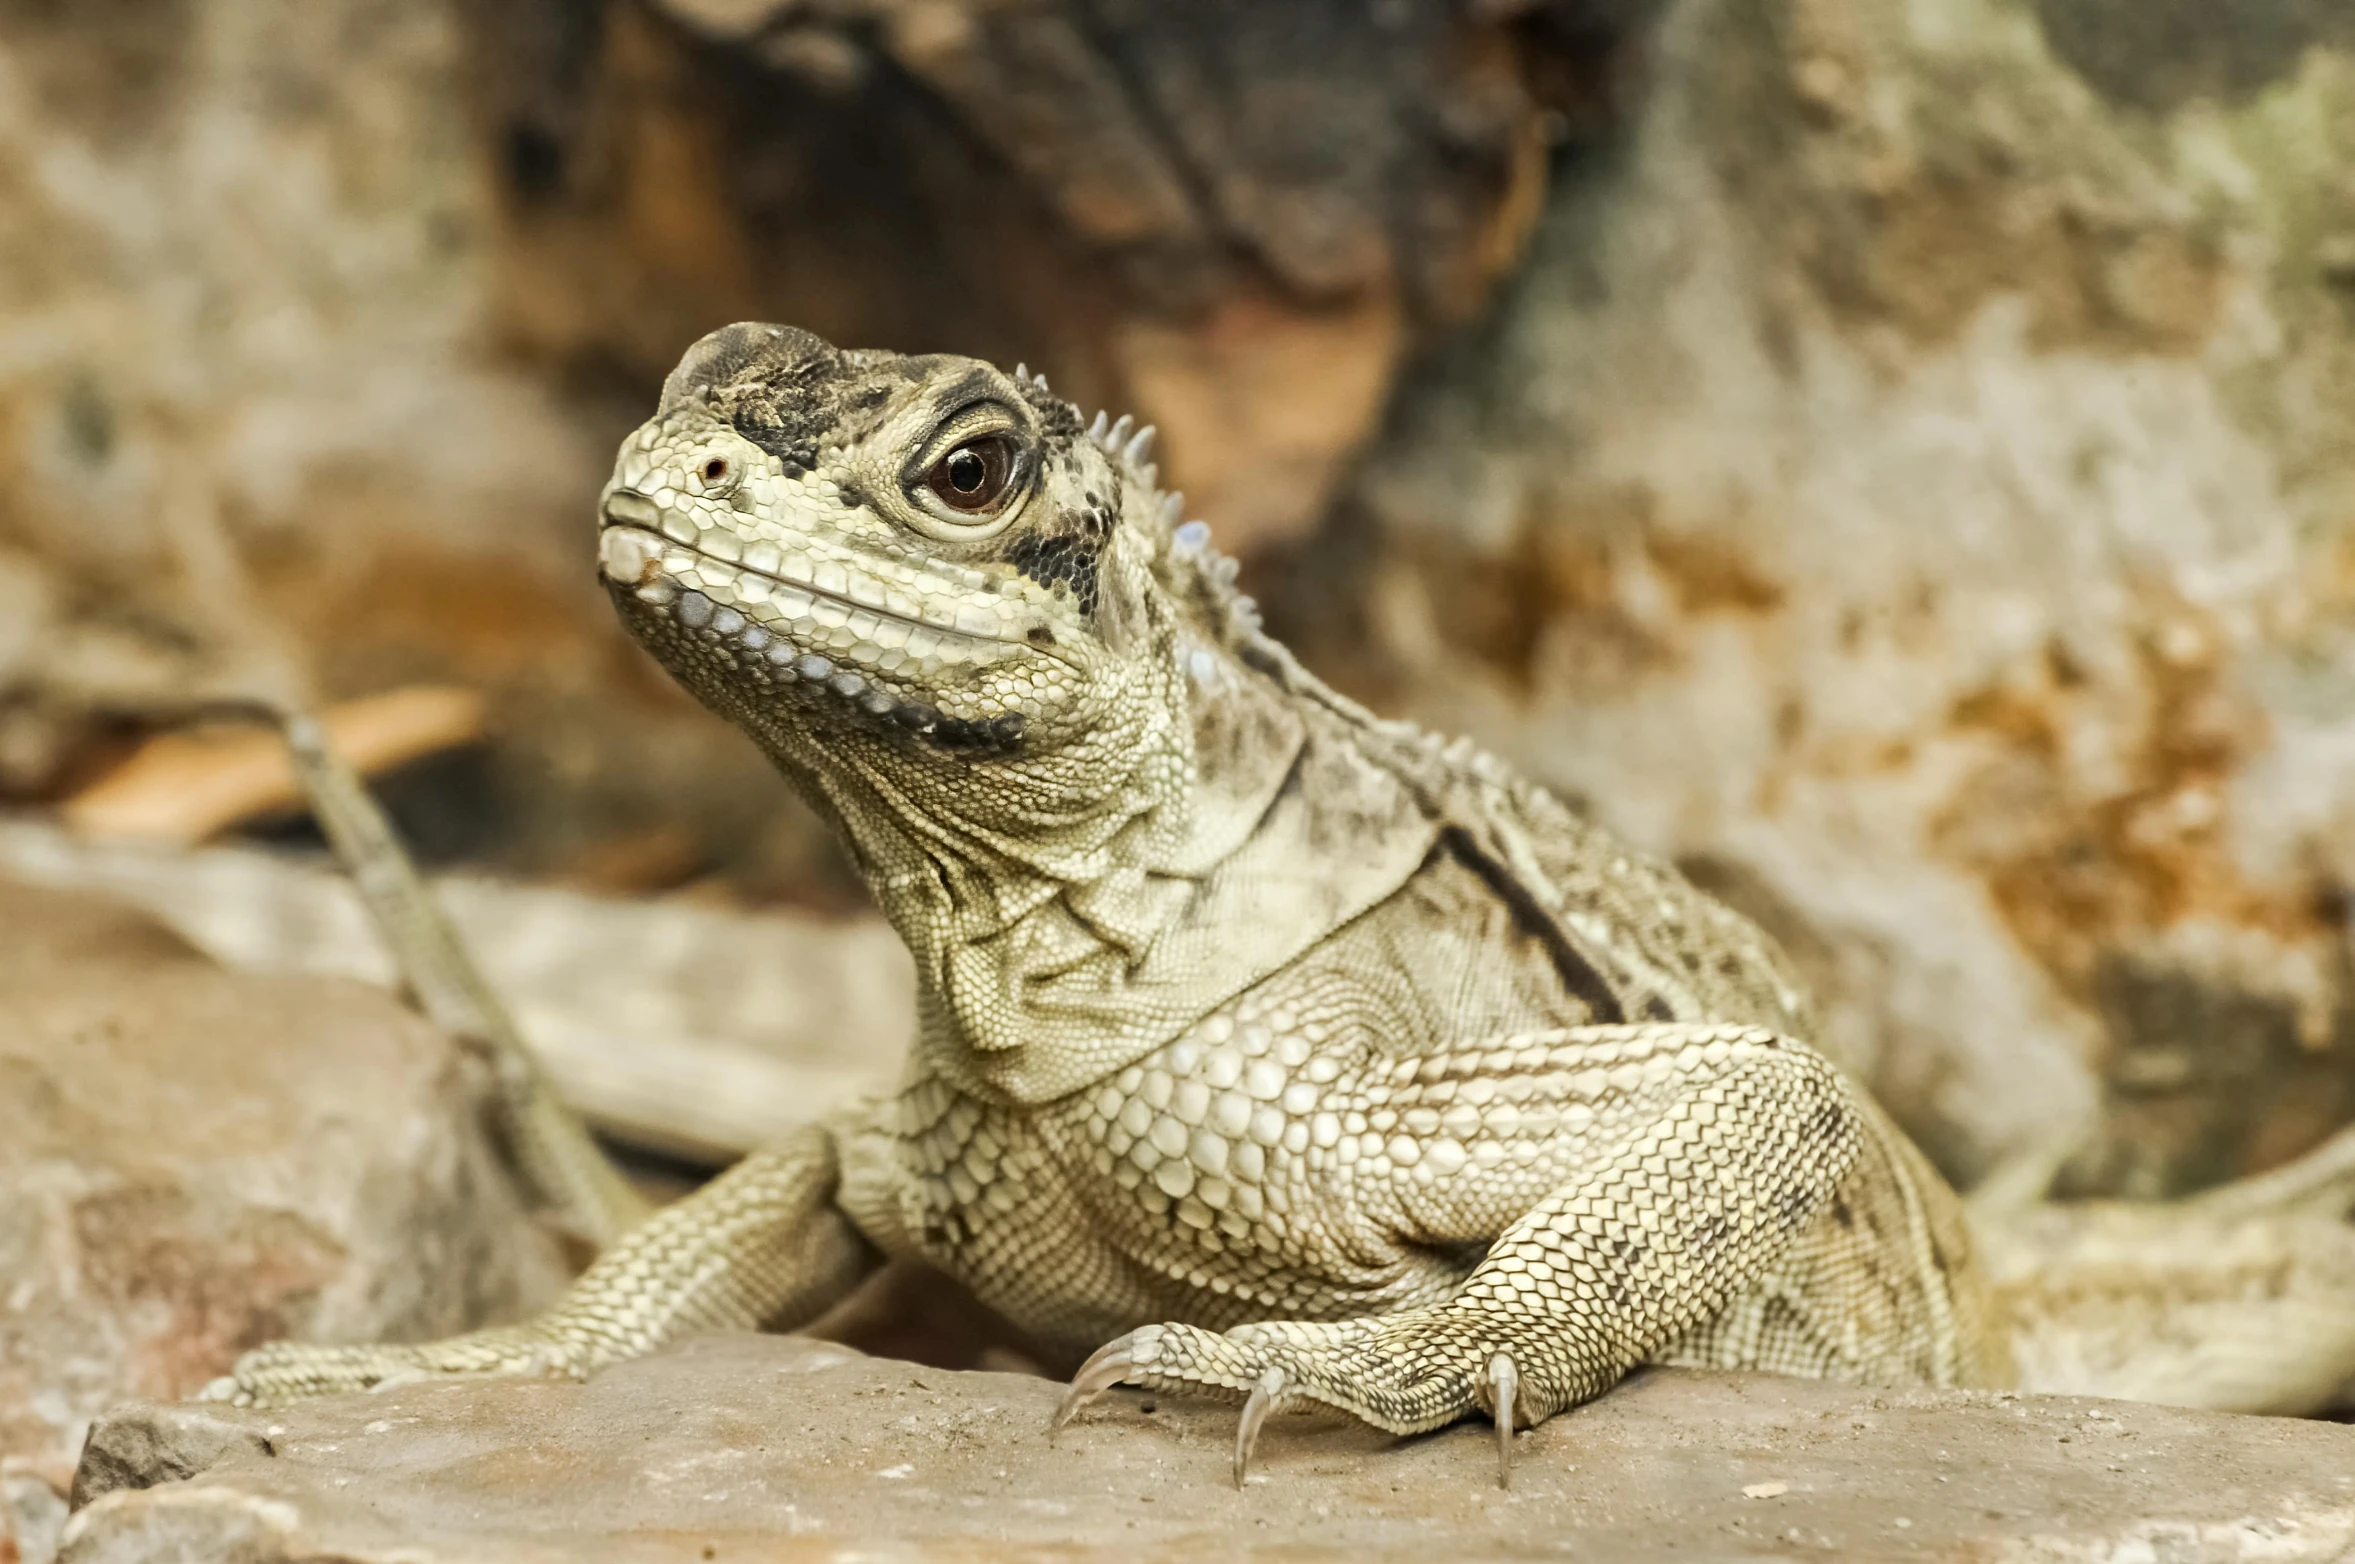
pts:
[1897, 460]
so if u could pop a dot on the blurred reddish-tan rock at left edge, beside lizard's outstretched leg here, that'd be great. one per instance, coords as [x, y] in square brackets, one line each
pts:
[197, 1160]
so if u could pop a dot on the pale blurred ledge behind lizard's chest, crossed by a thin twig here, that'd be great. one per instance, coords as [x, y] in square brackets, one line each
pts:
[684, 1028]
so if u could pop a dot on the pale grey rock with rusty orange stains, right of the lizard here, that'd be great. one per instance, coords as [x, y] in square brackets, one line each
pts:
[1911, 484]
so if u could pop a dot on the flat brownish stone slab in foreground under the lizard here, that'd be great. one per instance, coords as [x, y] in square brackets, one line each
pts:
[745, 1447]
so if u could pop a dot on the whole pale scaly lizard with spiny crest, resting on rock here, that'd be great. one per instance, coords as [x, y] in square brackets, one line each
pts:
[1266, 1047]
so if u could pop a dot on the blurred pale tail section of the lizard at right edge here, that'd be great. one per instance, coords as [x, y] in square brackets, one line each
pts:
[2238, 1301]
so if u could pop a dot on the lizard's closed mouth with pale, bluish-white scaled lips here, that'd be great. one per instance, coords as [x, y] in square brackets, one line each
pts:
[797, 635]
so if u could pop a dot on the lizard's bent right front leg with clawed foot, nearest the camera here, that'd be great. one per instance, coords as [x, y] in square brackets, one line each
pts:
[1671, 1167]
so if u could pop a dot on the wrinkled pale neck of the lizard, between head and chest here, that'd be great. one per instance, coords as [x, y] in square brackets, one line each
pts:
[1040, 915]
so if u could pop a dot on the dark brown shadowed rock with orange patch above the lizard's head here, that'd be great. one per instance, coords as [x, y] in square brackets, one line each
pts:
[1233, 220]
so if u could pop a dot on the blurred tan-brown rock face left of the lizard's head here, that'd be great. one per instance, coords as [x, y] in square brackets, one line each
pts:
[251, 272]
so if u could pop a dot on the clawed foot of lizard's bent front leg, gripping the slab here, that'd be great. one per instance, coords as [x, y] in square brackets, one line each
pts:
[1405, 1374]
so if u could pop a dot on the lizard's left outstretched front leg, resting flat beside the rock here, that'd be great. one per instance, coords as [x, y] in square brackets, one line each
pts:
[764, 1245]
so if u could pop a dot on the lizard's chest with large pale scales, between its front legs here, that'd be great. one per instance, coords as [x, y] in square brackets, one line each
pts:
[1200, 1186]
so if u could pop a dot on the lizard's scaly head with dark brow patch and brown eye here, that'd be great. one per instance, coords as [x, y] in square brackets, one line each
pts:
[903, 564]
